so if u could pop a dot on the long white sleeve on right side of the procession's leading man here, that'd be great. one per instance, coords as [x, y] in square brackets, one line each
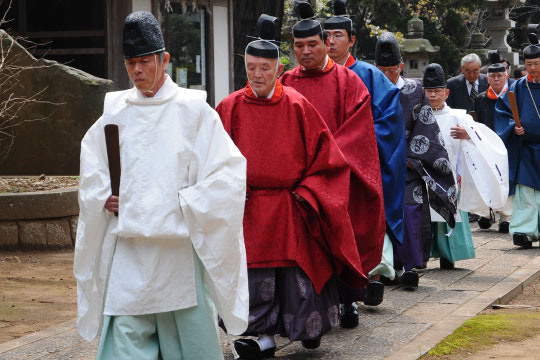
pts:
[213, 207]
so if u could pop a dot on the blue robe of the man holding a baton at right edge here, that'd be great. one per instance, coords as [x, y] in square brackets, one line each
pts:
[524, 150]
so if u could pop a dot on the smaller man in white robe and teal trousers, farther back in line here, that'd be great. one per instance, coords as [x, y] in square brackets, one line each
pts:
[478, 161]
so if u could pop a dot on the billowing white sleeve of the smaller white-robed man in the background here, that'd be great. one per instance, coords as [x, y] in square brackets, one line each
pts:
[485, 170]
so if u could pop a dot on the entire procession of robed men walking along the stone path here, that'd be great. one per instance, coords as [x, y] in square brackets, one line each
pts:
[299, 197]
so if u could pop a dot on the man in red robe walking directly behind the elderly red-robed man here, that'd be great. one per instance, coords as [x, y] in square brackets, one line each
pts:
[344, 102]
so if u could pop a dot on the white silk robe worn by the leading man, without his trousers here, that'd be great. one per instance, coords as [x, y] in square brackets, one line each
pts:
[182, 189]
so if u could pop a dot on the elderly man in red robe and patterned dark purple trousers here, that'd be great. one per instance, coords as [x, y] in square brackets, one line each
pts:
[297, 230]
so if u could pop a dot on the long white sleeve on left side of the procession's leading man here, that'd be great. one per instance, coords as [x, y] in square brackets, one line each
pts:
[94, 245]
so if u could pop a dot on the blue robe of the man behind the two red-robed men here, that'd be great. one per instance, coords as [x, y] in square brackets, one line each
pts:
[390, 133]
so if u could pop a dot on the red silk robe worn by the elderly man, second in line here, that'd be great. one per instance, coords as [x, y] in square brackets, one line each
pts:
[290, 150]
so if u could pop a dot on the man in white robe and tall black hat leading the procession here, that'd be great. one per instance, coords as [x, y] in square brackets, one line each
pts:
[176, 248]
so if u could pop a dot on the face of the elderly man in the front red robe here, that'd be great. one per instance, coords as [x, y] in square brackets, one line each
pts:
[262, 74]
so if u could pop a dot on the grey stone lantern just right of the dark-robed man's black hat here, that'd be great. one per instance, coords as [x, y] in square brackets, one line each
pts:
[415, 49]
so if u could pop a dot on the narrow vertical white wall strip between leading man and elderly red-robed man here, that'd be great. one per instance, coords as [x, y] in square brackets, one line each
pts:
[221, 53]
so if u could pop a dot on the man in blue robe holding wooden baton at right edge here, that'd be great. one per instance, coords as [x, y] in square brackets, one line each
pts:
[523, 145]
